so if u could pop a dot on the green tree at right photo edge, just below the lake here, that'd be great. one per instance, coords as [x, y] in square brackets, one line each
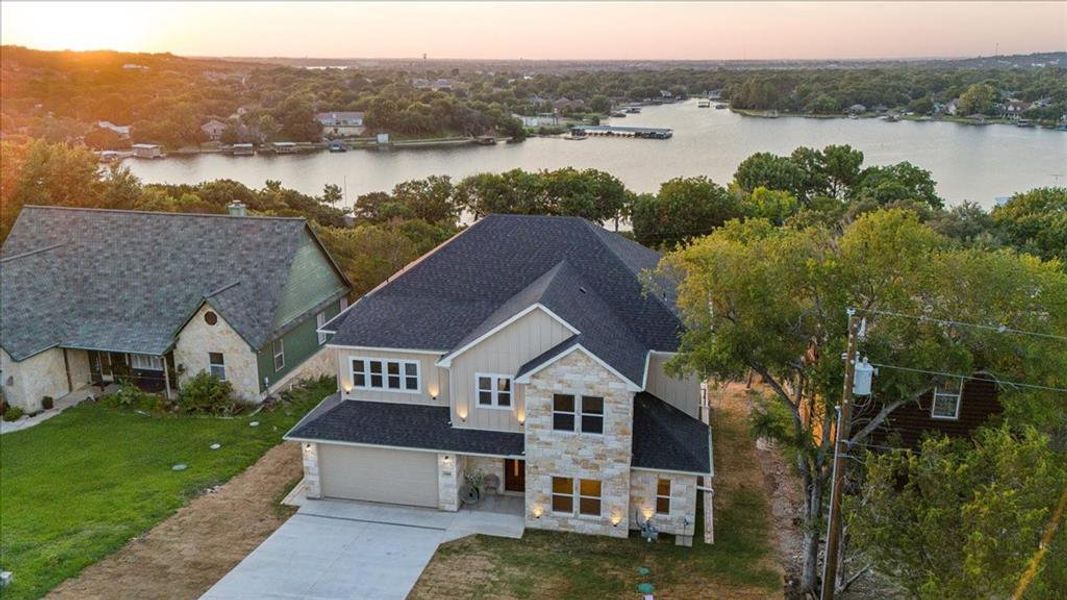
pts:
[1037, 223]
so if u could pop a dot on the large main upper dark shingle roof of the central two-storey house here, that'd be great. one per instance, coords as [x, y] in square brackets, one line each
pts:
[501, 266]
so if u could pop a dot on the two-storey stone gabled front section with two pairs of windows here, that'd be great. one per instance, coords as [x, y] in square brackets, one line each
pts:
[581, 456]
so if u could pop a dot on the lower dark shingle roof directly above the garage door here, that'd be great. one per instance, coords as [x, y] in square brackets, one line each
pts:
[393, 424]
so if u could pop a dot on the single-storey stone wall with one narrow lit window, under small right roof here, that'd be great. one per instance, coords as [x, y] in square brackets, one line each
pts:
[682, 520]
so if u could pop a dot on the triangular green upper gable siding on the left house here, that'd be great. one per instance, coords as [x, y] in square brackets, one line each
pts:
[312, 279]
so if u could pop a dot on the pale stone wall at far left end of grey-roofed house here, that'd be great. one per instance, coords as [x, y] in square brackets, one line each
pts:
[27, 382]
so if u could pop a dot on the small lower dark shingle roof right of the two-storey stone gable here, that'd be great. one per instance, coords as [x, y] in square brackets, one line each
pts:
[667, 438]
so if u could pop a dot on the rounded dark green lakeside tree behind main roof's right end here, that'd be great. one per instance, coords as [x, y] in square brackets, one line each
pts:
[686, 209]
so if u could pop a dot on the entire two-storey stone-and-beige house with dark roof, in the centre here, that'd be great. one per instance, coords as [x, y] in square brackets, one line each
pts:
[528, 349]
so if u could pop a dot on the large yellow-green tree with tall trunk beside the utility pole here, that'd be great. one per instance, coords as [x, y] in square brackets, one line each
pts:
[773, 302]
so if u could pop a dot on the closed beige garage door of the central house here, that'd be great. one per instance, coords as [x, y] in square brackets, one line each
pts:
[379, 475]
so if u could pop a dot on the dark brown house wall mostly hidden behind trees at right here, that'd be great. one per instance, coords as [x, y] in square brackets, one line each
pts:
[955, 408]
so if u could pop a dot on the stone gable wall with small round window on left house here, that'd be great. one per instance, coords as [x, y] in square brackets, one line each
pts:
[199, 339]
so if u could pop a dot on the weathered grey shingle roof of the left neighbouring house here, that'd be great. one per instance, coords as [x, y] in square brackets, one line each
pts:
[128, 281]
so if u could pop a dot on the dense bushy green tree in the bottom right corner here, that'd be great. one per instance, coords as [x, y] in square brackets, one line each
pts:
[963, 519]
